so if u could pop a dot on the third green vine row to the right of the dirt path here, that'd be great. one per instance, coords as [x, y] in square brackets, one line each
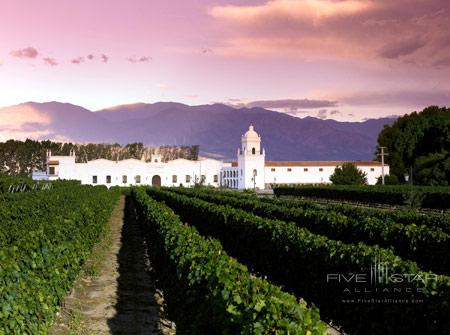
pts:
[429, 247]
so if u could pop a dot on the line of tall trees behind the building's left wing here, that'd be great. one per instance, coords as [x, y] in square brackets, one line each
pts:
[23, 157]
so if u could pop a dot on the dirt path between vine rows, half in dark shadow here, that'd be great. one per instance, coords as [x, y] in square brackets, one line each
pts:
[121, 298]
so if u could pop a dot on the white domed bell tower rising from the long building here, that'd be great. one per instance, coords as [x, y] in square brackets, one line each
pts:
[251, 158]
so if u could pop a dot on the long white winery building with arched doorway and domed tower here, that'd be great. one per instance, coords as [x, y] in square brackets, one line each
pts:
[251, 170]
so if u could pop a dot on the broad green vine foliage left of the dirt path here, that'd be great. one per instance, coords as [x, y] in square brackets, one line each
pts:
[45, 237]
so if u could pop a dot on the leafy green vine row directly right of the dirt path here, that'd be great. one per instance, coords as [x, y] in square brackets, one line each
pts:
[208, 292]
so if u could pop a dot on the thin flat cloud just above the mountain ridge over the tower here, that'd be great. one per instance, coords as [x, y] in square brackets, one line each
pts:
[291, 105]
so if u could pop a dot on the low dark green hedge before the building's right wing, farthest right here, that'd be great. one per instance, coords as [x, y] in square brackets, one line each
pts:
[427, 197]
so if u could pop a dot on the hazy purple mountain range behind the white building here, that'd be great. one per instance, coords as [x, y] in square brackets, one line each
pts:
[217, 128]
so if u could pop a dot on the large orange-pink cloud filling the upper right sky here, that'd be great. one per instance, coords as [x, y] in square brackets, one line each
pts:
[410, 31]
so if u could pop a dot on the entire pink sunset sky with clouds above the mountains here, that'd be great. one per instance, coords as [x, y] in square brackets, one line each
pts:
[341, 59]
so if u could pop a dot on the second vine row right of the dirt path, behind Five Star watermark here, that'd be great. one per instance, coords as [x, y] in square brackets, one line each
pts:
[299, 260]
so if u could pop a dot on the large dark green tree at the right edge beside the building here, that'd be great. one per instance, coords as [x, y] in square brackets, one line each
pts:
[421, 140]
